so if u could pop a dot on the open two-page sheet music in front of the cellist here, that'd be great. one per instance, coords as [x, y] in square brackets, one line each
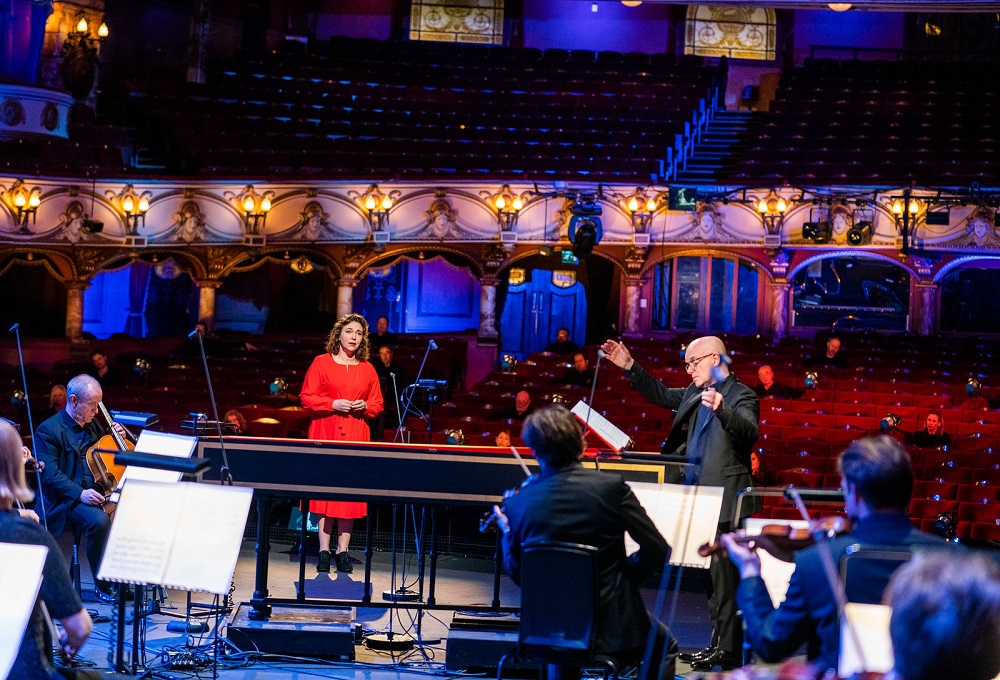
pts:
[182, 535]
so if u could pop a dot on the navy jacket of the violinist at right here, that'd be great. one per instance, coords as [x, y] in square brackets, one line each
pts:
[809, 612]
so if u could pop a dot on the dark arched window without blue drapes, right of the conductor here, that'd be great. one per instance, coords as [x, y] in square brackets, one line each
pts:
[851, 292]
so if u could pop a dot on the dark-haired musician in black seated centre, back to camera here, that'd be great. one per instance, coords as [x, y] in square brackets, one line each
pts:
[595, 508]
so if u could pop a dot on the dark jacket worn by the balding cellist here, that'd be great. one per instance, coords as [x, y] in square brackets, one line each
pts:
[62, 444]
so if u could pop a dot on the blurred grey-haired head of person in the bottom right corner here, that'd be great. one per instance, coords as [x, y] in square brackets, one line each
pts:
[946, 617]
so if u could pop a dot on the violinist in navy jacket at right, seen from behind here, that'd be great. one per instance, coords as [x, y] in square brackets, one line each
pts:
[877, 480]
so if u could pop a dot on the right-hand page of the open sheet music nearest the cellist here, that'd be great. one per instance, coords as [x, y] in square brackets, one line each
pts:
[208, 540]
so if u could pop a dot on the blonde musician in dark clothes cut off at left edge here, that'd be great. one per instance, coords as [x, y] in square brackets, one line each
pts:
[34, 657]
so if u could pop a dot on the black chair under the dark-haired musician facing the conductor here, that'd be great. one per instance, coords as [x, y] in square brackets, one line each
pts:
[559, 607]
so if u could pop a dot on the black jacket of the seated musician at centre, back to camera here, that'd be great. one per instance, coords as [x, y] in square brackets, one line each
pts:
[593, 508]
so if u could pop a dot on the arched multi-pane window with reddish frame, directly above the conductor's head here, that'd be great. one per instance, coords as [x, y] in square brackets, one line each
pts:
[705, 293]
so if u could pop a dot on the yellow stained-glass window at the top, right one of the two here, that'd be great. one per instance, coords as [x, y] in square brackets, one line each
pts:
[734, 32]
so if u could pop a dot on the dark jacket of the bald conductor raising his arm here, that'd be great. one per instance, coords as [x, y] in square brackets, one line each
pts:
[726, 443]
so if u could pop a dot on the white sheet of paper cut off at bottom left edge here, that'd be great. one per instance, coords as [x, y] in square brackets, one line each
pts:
[20, 578]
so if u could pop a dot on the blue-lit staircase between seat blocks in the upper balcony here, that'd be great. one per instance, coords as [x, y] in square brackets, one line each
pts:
[721, 146]
